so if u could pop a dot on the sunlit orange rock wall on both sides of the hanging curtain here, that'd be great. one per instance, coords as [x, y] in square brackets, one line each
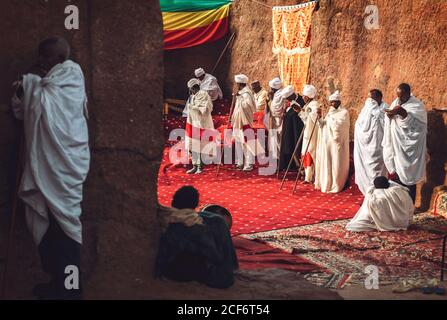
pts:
[408, 47]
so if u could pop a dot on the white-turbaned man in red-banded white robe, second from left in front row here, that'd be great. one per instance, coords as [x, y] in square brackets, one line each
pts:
[242, 124]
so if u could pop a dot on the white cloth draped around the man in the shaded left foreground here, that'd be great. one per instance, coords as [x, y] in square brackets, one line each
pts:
[57, 153]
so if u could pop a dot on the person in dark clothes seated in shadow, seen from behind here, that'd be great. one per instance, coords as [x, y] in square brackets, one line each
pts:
[195, 246]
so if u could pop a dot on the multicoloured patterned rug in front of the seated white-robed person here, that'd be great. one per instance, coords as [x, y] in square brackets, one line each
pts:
[412, 254]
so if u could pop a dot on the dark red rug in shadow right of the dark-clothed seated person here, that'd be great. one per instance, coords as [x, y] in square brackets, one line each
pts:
[256, 255]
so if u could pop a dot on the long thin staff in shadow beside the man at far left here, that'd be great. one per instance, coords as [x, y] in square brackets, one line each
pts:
[15, 199]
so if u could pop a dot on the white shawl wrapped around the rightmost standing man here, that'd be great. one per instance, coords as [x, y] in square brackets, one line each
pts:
[405, 142]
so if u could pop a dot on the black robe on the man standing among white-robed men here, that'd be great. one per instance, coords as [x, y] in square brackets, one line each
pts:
[292, 128]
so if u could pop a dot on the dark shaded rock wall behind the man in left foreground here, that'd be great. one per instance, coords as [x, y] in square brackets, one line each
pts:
[119, 48]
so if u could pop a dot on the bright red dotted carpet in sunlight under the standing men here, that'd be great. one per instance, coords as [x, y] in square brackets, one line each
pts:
[255, 201]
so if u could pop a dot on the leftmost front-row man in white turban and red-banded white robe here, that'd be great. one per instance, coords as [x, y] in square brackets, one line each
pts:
[199, 119]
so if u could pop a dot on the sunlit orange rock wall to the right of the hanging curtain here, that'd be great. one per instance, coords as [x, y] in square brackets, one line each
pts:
[408, 47]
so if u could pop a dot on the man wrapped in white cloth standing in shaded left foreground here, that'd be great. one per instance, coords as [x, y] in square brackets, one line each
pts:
[57, 159]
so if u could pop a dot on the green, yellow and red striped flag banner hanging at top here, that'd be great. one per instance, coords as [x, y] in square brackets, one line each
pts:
[188, 23]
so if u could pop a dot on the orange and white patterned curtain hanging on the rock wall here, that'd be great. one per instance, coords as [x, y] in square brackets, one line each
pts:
[291, 42]
